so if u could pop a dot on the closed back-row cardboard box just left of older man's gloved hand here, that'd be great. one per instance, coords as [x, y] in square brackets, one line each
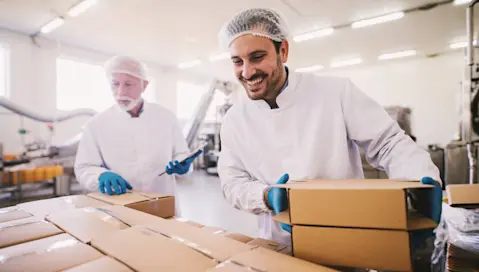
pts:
[42, 208]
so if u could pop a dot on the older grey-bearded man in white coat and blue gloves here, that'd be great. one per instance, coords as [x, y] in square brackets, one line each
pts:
[129, 144]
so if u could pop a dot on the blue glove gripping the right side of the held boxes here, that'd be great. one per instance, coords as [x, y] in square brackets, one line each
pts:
[434, 211]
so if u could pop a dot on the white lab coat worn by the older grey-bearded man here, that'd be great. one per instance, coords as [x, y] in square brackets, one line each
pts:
[138, 149]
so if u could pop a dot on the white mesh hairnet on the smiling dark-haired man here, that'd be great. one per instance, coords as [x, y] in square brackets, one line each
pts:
[256, 21]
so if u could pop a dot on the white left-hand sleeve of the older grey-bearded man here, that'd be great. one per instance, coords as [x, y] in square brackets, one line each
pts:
[89, 164]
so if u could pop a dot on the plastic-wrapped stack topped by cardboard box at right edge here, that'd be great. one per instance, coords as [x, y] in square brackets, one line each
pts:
[457, 237]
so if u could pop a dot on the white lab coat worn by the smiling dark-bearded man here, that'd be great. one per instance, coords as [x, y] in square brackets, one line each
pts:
[316, 132]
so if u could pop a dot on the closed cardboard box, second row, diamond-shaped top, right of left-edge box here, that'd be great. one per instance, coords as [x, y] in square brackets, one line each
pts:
[87, 223]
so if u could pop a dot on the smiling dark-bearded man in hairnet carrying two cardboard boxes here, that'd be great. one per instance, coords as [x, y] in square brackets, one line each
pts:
[302, 126]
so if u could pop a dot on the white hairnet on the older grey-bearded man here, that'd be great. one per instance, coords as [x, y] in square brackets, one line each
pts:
[125, 65]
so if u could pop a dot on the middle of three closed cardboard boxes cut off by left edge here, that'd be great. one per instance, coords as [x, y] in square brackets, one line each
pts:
[25, 230]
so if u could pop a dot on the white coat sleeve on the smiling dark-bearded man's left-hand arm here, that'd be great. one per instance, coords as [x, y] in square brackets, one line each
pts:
[239, 188]
